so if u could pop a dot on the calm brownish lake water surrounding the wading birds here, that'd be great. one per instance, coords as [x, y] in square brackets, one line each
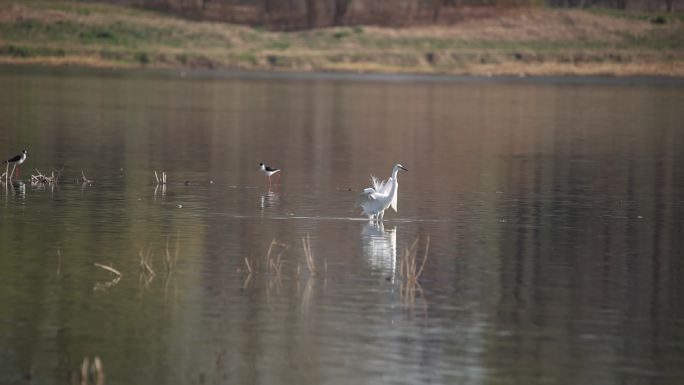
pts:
[553, 210]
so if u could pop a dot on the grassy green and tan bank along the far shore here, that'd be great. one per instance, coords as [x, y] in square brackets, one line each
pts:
[523, 41]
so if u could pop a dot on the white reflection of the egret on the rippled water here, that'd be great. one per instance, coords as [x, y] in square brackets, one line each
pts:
[380, 247]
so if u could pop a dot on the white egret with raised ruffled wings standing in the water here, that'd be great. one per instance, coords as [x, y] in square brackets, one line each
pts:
[376, 199]
